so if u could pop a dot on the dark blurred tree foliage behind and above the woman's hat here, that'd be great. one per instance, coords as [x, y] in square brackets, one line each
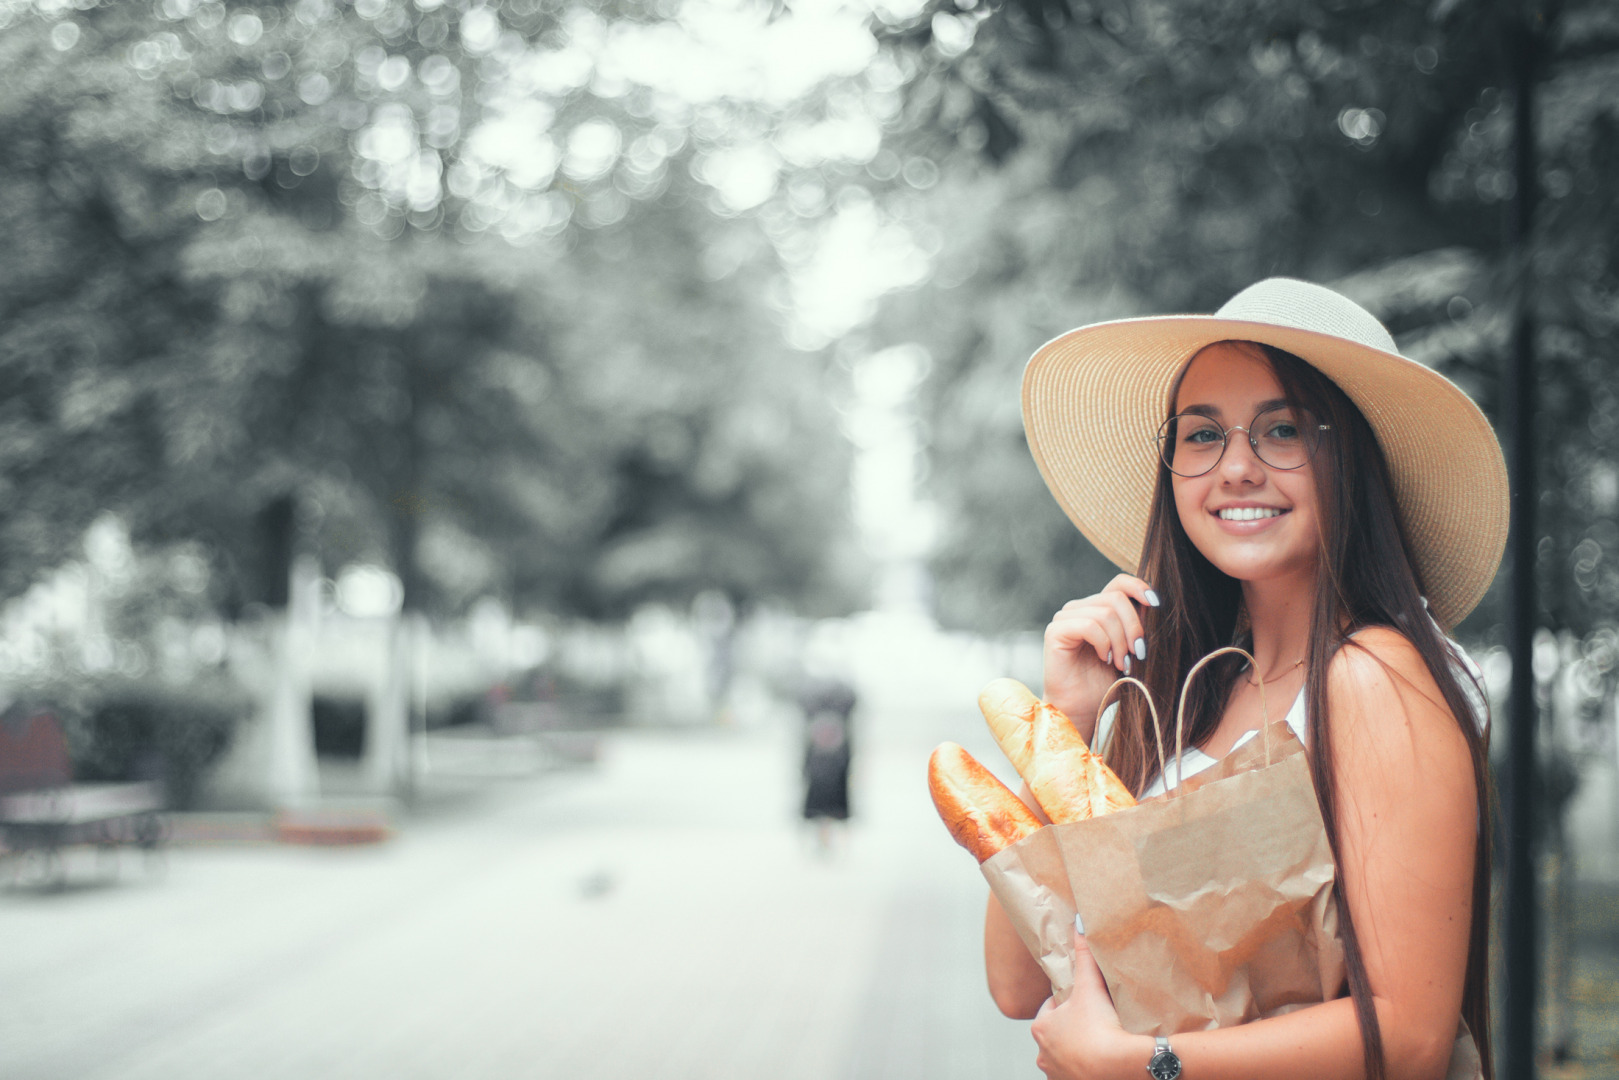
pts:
[1126, 158]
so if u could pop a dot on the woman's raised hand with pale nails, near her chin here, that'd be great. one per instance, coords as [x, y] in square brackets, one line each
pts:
[1090, 644]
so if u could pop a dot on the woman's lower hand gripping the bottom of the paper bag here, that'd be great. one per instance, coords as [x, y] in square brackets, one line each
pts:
[1082, 1039]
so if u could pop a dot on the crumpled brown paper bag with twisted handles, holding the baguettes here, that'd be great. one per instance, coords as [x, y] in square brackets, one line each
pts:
[1205, 908]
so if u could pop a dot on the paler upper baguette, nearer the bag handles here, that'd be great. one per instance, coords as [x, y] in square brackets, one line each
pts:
[1068, 780]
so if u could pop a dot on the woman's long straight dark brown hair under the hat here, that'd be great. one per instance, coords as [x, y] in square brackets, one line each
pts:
[1366, 577]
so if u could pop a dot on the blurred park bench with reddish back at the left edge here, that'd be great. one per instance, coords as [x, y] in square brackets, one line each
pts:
[45, 812]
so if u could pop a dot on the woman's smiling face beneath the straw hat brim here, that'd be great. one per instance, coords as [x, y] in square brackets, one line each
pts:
[1251, 521]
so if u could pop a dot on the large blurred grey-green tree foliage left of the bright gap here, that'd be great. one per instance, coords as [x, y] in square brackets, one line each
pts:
[406, 283]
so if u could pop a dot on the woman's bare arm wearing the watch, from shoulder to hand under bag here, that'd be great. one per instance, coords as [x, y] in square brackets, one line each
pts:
[1408, 825]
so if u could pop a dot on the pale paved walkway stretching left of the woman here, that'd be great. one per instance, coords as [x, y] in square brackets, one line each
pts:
[660, 917]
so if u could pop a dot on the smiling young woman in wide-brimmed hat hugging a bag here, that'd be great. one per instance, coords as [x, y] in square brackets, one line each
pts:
[1322, 501]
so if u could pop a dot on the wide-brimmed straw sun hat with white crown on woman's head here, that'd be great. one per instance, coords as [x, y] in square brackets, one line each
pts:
[1095, 398]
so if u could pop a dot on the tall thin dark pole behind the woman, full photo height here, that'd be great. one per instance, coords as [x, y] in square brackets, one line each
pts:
[1519, 953]
